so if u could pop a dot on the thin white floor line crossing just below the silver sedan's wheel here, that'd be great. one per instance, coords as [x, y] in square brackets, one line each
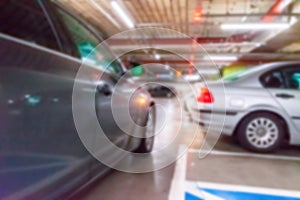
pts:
[248, 155]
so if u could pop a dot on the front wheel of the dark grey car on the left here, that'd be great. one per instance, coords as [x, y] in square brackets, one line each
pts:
[146, 144]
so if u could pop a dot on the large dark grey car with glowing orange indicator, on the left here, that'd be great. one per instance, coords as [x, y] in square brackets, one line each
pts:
[42, 46]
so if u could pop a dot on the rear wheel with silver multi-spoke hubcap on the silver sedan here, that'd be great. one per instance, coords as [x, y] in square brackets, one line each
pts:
[261, 132]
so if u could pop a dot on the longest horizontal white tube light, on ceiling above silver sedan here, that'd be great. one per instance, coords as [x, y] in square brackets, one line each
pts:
[255, 26]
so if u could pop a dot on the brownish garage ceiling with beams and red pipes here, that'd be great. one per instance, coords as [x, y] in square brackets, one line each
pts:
[190, 30]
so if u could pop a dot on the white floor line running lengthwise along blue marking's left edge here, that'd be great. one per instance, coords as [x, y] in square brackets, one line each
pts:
[177, 191]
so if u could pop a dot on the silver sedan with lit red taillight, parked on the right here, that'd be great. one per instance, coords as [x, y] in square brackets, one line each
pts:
[260, 106]
